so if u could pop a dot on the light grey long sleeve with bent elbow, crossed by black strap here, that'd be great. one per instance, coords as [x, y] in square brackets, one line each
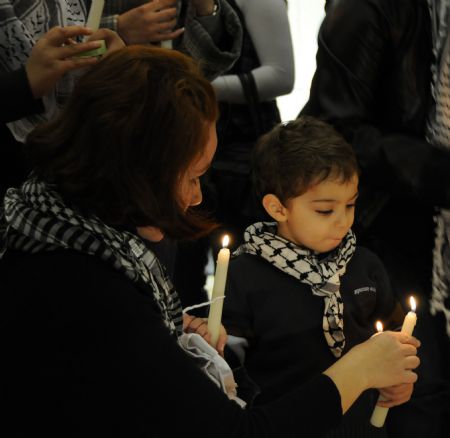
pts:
[268, 25]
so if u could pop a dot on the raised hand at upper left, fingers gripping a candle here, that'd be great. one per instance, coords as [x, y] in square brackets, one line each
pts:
[53, 56]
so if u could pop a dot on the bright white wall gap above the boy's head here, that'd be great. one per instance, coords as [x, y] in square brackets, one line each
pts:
[305, 17]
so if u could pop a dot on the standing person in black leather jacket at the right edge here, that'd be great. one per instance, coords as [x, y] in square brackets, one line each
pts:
[379, 63]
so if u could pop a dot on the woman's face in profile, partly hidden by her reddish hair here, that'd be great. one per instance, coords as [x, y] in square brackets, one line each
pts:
[190, 190]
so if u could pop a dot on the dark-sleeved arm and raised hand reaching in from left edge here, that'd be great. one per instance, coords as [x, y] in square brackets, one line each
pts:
[23, 88]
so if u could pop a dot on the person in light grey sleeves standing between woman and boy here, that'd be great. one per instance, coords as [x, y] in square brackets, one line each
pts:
[247, 100]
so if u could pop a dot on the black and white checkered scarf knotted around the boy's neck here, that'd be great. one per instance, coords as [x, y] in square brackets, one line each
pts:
[321, 274]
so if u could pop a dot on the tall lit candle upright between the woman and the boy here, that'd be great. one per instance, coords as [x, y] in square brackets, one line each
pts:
[218, 292]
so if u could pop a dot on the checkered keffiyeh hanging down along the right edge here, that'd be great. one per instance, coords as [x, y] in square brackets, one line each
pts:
[438, 134]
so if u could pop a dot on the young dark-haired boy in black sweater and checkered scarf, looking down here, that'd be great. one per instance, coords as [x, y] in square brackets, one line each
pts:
[300, 293]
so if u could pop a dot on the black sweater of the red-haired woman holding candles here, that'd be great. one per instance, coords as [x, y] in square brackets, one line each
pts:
[85, 353]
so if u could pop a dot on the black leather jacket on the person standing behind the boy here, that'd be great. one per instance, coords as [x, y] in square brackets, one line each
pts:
[373, 84]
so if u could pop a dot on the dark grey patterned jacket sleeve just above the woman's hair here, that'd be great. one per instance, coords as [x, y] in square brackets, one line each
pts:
[215, 41]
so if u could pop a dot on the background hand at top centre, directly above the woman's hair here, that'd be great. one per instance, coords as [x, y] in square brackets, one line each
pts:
[151, 22]
